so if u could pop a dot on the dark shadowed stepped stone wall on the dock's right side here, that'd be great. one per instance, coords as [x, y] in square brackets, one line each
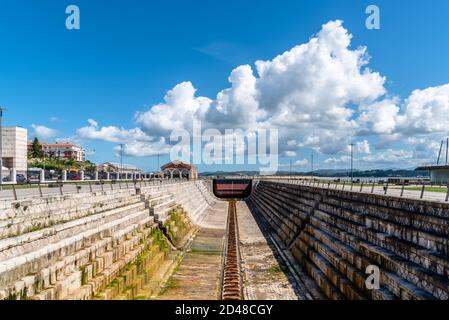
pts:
[335, 235]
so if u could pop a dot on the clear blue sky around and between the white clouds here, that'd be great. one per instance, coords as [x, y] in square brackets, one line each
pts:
[128, 54]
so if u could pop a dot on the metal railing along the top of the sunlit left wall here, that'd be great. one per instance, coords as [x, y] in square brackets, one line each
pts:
[51, 188]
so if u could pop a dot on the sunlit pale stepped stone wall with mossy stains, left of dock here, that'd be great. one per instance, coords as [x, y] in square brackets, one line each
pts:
[73, 246]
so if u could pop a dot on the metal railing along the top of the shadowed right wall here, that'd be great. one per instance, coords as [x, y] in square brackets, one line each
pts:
[438, 193]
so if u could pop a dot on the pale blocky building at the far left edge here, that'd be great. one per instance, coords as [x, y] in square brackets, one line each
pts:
[14, 148]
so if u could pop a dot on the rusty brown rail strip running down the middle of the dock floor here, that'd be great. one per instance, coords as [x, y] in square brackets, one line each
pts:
[232, 280]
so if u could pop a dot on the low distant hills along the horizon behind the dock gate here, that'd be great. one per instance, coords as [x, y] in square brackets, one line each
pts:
[331, 173]
